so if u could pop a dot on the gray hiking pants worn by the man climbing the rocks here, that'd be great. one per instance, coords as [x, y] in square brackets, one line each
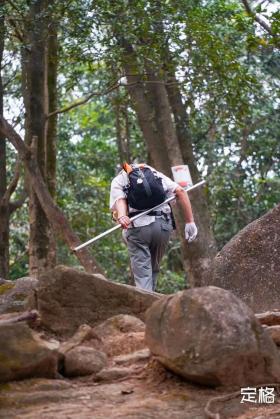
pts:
[146, 247]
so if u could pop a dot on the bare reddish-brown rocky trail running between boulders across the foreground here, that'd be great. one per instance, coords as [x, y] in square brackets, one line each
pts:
[133, 385]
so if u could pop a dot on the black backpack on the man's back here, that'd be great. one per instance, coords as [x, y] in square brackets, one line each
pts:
[145, 189]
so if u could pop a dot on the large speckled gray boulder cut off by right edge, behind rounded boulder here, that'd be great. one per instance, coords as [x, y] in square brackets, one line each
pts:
[249, 264]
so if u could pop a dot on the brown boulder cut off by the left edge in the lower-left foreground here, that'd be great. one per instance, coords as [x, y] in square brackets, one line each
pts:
[23, 354]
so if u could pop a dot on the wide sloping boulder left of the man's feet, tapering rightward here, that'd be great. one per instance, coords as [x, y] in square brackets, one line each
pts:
[67, 298]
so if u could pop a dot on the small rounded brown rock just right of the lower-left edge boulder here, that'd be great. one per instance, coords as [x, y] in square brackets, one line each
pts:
[83, 360]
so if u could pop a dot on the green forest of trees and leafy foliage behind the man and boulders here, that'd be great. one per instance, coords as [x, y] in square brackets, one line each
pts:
[86, 85]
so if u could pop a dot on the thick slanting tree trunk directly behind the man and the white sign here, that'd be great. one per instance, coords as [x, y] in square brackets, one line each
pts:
[152, 105]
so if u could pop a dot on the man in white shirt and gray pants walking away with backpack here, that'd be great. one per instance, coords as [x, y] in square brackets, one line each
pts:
[136, 188]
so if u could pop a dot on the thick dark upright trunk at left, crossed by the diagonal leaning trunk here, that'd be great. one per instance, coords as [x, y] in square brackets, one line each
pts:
[41, 252]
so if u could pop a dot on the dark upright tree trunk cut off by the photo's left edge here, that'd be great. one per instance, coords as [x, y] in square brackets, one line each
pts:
[4, 205]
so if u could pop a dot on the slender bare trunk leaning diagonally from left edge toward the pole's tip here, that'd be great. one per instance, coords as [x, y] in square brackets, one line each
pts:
[55, 216]
